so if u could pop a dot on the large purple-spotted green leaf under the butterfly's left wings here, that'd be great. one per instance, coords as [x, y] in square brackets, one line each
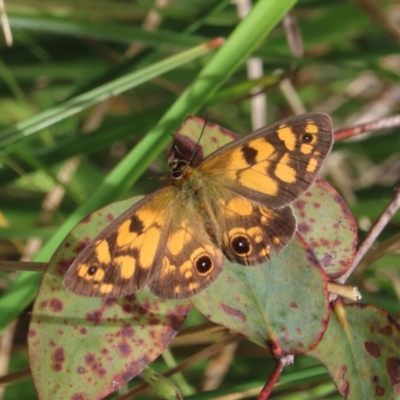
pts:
[86, 348]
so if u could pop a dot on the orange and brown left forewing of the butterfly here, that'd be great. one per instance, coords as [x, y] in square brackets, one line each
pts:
[114, 264]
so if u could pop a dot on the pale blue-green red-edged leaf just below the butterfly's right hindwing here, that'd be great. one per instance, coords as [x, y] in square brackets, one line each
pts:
[281, 305]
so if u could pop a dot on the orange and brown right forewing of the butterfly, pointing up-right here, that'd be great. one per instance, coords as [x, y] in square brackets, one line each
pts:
[274, 164]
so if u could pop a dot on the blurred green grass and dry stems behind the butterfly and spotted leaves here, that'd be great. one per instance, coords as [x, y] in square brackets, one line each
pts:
[62, 159]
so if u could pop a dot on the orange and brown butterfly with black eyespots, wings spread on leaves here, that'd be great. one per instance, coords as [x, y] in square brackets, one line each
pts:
[233, 204]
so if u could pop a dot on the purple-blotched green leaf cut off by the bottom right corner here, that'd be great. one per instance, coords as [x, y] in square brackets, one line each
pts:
[361, 351]
